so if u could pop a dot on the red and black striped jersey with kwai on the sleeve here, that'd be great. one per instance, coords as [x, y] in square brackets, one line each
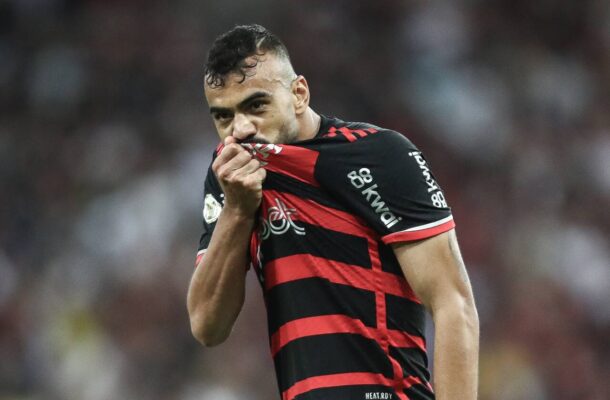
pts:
[343, 321]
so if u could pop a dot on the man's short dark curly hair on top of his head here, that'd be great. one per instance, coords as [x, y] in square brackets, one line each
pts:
[230, 50]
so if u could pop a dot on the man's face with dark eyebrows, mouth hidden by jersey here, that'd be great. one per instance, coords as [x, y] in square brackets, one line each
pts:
[259, 109]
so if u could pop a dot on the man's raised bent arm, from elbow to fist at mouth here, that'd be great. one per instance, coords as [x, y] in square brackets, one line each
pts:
[217, 289]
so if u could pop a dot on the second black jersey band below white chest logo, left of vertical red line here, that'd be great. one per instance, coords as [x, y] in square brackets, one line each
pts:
[316, 296]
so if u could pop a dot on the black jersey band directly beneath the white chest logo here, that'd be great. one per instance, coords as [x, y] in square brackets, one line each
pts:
[319, 242]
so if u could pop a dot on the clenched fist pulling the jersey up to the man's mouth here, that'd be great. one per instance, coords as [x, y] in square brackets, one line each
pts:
[241, 178]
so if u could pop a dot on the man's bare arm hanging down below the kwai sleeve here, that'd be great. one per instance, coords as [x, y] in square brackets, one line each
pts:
[435, 270]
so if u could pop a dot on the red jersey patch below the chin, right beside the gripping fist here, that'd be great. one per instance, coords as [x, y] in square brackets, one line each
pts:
[297, 162]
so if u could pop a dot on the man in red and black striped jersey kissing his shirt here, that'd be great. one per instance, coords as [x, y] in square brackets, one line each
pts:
[347, 229]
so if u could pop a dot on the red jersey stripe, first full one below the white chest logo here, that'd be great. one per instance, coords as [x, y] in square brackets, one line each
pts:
[303, 266]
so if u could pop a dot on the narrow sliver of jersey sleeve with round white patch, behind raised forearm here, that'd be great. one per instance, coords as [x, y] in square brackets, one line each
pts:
[213, 200]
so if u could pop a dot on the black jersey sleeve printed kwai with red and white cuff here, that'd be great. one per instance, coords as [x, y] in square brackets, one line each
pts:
[384, 179]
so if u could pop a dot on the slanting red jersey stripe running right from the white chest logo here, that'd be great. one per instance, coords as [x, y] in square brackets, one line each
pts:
[316, 214]
